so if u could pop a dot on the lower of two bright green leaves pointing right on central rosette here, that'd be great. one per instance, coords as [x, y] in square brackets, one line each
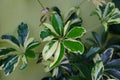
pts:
[74, 46]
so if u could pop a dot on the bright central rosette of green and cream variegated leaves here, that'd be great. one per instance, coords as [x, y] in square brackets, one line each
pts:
[60, 37]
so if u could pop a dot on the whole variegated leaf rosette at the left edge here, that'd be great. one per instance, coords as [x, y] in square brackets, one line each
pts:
[13, 50]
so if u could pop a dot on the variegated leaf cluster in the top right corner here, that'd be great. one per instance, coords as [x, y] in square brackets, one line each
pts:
[108, 14]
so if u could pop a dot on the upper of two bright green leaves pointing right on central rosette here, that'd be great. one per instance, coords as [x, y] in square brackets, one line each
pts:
[76, 32]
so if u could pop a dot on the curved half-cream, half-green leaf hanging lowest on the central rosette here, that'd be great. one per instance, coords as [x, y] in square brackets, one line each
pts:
[58, 56]
